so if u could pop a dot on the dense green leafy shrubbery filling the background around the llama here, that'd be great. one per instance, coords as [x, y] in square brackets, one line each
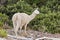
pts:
[47, 21]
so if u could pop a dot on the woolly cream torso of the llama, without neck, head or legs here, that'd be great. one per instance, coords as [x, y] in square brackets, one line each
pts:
[21, 18]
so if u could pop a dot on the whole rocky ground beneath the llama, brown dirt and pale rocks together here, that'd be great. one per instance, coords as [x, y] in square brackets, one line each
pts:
[31, 35]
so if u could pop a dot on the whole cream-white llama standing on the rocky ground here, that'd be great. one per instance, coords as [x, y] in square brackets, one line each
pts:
[22, 19]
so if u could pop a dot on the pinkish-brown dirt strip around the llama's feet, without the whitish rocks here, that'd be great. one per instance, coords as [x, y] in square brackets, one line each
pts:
[32, 33]
